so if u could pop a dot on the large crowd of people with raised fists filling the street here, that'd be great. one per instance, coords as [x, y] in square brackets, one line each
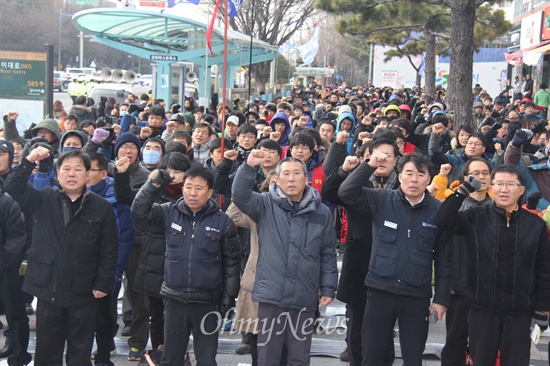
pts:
[204, 225]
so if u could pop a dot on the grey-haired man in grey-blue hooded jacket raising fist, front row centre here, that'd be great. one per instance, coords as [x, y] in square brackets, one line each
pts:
[297, 257]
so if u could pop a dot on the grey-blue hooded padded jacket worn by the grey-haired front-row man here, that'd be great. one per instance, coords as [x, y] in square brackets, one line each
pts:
[297, 258]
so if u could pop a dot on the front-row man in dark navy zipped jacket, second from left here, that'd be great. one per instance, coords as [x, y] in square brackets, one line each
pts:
[201, 266]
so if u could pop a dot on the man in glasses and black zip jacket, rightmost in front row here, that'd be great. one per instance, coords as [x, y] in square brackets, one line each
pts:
[508, 257]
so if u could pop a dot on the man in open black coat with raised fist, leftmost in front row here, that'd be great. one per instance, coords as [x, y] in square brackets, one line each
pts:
[72, 259]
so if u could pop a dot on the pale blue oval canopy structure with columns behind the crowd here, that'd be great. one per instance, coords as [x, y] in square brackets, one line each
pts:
[171, 41]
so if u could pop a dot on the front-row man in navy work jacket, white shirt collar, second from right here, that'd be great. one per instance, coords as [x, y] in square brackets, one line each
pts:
[405, 242]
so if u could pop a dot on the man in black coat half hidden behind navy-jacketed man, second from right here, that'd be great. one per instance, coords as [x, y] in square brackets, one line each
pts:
[351, 287]
